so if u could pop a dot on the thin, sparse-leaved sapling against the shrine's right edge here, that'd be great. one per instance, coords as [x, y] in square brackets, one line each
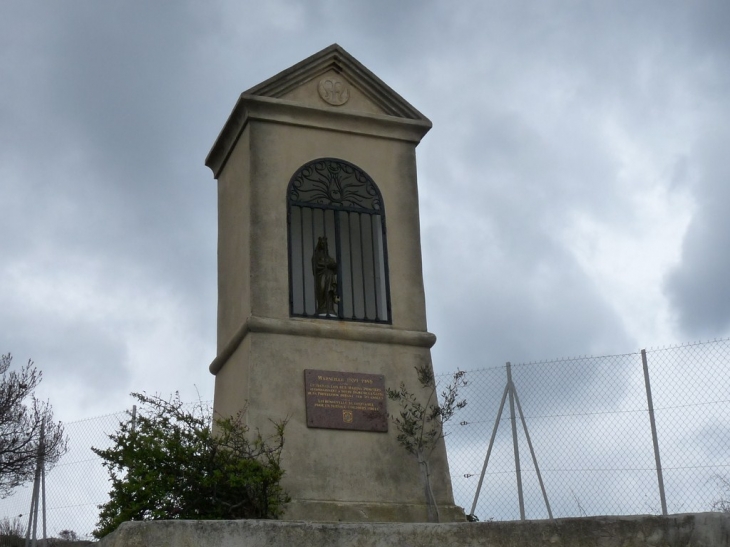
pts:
[420, 426]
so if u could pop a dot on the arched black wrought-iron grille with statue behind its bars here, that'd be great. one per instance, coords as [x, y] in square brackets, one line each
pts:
[336, 208]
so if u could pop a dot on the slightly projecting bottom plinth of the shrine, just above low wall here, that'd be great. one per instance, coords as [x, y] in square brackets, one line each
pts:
[337, 511]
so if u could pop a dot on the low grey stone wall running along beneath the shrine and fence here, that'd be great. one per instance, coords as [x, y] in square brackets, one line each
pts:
[687, 530]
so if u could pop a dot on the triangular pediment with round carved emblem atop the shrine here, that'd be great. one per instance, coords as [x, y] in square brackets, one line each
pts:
[334, 79]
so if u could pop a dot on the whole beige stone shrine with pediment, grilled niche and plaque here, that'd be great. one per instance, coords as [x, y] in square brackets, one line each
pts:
[320, 291]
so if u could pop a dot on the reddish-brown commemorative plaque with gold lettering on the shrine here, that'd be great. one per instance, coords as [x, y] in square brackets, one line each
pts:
[345, 400]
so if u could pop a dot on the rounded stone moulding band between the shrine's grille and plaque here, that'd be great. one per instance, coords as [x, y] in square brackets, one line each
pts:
[380, 334]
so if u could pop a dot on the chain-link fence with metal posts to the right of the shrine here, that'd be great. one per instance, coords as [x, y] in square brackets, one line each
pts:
[590, 428]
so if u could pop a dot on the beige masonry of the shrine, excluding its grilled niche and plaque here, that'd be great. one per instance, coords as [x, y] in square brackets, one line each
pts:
[327, 106]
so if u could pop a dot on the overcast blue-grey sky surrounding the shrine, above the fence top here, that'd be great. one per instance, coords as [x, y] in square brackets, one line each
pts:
[574, 188]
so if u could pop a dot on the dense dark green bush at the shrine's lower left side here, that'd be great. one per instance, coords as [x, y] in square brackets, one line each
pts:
[169, 463]
